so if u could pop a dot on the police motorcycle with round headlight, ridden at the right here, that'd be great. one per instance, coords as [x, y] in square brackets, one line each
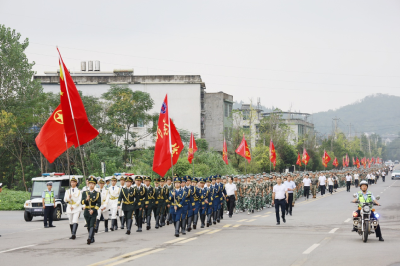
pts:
[365, 224]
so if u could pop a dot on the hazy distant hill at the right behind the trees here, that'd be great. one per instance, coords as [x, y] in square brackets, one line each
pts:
[378, 113]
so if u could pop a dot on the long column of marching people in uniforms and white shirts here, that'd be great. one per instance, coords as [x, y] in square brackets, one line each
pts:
[185, 201]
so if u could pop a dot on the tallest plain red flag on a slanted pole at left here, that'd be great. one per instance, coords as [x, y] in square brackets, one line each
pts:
[74, 114]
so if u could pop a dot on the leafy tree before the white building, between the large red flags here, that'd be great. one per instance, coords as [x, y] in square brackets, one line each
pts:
[127, 109]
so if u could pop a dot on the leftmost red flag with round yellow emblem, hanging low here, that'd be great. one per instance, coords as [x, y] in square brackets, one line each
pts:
[51, 138]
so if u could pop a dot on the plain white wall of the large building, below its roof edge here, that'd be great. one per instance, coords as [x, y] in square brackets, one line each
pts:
[183, 100]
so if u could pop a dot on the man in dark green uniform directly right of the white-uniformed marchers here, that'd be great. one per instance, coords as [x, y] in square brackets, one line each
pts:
[127, 199]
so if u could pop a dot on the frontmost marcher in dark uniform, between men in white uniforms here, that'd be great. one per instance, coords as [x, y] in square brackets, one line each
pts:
[92, 201]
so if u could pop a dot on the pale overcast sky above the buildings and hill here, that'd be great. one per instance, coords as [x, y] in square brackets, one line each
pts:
[309, 56]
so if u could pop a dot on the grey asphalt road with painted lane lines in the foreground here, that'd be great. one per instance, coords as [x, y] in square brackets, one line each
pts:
[318, 233]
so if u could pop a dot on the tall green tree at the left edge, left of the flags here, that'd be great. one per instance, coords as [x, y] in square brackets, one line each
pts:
[20, 95]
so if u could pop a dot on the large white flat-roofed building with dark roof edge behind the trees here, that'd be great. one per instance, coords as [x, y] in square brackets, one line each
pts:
[185, 94]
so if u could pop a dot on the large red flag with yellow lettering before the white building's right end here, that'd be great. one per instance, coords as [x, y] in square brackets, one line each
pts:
[168, 142]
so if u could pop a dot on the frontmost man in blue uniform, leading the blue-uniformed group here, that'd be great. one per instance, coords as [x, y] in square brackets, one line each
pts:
[177, 198]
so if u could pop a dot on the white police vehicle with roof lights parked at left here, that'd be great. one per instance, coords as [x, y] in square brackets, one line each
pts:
[34, 206]
